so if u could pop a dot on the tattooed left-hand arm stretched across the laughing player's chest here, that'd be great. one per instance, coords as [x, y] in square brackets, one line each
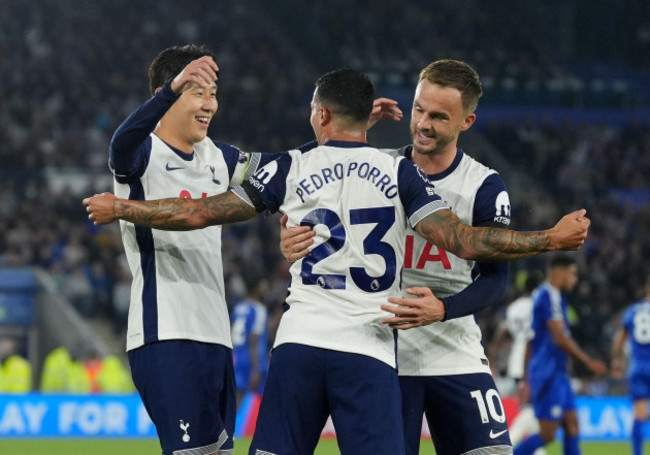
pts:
[170, 214]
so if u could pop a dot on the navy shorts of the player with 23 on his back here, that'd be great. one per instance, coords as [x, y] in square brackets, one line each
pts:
[305, 385]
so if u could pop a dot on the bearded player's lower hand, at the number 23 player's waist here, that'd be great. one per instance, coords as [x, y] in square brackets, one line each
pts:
[409, 313]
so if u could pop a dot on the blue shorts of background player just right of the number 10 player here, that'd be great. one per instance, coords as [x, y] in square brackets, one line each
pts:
[552, 397]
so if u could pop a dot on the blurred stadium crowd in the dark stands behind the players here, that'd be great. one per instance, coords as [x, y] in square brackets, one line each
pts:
[62, 97]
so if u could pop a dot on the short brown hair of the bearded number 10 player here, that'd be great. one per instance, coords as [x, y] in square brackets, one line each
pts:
[458, 75]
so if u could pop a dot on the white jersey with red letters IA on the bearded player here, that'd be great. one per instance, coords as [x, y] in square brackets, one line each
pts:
[449, 347]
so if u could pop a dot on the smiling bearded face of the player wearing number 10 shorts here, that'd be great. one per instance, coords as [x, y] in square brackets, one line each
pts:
[437, 118]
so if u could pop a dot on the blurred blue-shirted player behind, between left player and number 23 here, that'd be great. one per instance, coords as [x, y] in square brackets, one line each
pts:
[250, 338]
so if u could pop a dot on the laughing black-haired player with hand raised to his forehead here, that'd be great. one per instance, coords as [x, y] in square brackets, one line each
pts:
[178, 326]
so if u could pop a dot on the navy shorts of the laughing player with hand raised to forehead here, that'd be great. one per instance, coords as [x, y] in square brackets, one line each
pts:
[188, 389]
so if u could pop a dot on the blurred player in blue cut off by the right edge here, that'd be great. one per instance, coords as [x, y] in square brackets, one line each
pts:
[636, 328]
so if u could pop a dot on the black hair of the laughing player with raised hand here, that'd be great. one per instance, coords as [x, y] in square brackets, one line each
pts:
[170, 62]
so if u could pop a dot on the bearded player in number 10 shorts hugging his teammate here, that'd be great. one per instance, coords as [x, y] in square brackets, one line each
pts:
[444, 372]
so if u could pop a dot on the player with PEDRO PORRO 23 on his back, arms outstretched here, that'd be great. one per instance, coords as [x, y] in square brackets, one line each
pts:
[332, 354]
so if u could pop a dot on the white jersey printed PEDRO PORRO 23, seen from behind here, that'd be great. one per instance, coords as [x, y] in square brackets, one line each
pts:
[359, 201]
